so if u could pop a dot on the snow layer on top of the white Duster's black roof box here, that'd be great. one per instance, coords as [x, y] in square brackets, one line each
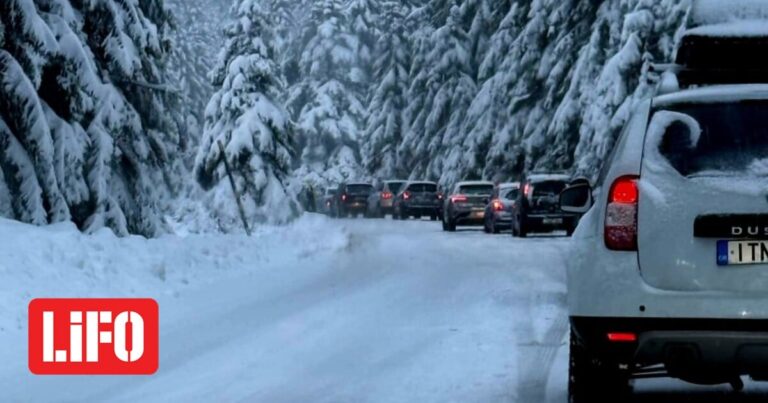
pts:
[712, 12]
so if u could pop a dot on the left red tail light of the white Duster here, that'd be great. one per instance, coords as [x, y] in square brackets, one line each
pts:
[621, 215]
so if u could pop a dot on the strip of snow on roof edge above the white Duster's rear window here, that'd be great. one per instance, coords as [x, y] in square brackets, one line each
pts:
[715, 93]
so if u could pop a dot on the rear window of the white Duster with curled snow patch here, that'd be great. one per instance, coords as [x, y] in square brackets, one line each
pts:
[732, 139]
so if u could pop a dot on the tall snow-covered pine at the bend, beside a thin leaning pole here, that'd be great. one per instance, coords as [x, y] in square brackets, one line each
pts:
[245, 116]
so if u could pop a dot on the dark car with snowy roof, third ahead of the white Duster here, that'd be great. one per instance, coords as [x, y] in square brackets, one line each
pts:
[466, 204]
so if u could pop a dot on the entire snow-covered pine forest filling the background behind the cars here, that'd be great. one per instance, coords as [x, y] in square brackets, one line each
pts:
[106, 108]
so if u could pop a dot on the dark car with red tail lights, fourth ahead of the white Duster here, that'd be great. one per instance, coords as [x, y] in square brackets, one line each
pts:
[418, 199]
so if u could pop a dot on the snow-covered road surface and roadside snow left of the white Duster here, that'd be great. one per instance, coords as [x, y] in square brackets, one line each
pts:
[343, 311]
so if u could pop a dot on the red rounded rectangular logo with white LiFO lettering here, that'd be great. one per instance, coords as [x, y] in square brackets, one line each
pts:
[93, 336]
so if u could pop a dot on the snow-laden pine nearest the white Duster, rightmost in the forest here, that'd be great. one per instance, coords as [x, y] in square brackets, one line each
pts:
[606, 89]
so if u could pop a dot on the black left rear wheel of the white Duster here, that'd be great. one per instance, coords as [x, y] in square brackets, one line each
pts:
[591, 380]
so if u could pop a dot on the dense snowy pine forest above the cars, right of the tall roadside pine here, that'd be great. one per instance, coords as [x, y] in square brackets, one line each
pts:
[449, 90]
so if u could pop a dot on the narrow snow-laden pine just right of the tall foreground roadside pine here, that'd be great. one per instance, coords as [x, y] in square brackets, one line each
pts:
[326, 102]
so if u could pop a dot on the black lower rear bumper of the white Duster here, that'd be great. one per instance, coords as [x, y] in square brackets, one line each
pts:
[697, 350]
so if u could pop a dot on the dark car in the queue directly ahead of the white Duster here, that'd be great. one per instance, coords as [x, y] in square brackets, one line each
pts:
[538, 206]
